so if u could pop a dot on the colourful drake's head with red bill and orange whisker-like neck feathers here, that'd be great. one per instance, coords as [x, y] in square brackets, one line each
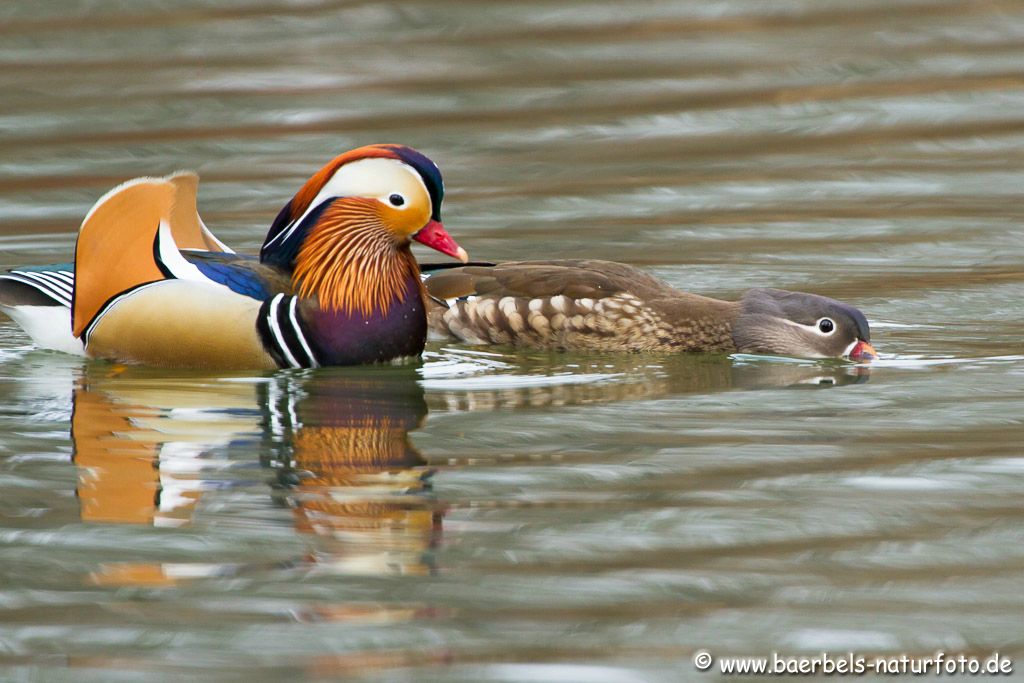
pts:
[346, 236]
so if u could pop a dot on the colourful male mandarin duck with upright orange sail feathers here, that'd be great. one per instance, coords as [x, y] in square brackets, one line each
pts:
[335, 283]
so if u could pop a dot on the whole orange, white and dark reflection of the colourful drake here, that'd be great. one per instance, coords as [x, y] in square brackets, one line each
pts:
[334, 443]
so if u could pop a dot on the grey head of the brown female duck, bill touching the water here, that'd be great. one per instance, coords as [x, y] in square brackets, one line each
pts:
[801, 325]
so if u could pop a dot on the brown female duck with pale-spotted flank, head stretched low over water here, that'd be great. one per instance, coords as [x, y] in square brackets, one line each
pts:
[581, 306]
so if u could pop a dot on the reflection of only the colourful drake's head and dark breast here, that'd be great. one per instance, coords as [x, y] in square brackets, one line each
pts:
[353, 475]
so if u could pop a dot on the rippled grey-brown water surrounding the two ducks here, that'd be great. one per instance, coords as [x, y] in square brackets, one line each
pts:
[491, 516]
